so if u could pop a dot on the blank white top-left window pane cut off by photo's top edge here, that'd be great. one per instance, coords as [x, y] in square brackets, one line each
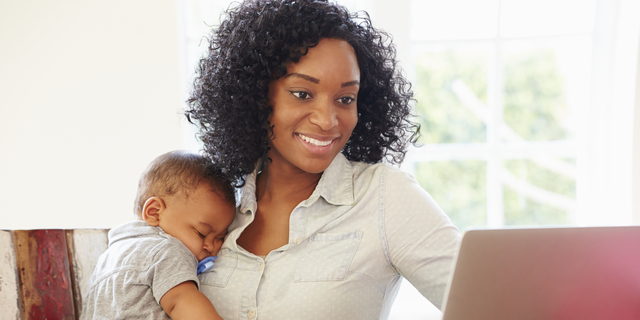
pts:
[453, 19]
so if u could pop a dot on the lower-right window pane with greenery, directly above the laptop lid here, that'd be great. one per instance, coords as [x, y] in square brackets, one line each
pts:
[536, 193]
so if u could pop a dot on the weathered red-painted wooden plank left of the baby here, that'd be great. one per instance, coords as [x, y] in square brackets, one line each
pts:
[43, 269]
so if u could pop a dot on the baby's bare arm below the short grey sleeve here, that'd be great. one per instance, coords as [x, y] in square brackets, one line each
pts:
[184, 301]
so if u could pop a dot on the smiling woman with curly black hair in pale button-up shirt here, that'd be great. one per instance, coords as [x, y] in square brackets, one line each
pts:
[300, 103]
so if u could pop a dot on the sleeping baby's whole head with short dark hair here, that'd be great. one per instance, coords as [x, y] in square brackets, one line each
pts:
[182, 193]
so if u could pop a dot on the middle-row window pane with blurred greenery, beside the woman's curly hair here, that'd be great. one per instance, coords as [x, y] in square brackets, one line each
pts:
[451, 86]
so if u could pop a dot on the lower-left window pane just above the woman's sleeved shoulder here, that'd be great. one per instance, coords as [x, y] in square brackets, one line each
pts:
[463, 198]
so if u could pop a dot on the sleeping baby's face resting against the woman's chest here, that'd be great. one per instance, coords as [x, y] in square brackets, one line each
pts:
[199, 221]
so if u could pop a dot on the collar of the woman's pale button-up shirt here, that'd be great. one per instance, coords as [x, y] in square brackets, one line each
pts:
[335, 186]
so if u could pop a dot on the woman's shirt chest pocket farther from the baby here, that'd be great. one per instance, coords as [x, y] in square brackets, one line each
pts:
[327, 257]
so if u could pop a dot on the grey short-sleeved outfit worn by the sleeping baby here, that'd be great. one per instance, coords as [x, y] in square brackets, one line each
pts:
[141, 264]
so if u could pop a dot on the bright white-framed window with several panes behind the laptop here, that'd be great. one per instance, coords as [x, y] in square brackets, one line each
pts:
[500, 89]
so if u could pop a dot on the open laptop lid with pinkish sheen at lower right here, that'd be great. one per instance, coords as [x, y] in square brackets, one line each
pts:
[546, 273]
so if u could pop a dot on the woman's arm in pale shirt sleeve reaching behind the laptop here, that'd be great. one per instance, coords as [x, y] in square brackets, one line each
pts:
[421, 239]
